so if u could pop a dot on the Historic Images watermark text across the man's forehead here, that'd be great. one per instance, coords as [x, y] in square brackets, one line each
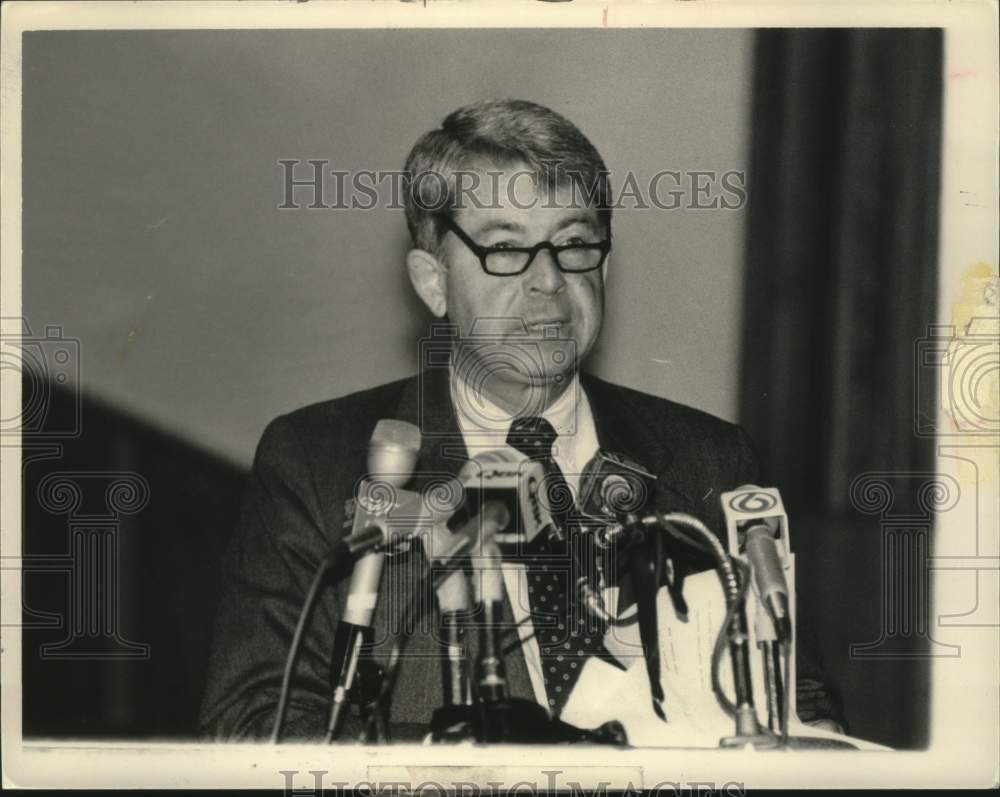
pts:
[312, 184]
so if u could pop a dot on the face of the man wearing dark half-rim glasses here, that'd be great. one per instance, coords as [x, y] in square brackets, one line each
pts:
[535, 327]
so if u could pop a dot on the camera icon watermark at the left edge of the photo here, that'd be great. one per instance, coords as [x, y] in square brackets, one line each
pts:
[43, 363]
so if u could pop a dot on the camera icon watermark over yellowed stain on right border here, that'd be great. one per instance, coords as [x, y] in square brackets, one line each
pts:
[964, 369]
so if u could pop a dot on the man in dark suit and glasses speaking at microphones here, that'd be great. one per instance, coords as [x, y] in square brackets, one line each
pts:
[509, 209]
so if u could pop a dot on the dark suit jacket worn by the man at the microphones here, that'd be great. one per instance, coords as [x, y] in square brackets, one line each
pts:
[307, 466]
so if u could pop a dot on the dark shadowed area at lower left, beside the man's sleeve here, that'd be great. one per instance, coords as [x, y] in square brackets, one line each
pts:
[124, 531]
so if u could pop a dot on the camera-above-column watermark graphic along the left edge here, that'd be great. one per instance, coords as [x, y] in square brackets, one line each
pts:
[93, 502]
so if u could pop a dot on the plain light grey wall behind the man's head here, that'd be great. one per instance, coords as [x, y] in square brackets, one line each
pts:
[152, 234]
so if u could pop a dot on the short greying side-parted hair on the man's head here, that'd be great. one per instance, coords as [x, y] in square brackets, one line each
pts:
[502, 134]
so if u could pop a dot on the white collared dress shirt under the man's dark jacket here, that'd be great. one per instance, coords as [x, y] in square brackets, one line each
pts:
[484, 426]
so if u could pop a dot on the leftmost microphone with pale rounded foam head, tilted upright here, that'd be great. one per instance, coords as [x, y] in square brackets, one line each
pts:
[392, 458]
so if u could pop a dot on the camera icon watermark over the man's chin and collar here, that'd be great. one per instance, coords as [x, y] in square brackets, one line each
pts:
[497, 348]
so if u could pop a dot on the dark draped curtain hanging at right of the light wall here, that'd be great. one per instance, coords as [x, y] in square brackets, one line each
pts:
[841, 283]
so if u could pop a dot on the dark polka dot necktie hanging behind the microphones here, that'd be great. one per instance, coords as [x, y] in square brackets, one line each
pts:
[566, 637]
